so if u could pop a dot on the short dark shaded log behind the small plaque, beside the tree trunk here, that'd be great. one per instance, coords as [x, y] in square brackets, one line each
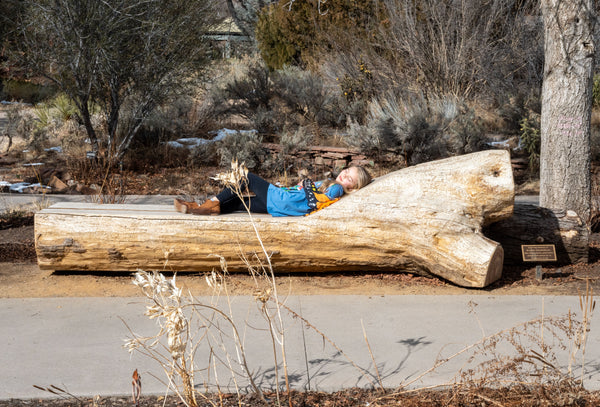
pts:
[533, 225]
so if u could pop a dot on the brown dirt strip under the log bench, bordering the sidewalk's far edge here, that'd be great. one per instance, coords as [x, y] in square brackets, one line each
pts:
[20, 277]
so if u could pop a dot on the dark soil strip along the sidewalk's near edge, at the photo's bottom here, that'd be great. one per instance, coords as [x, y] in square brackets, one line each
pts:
[514, 397]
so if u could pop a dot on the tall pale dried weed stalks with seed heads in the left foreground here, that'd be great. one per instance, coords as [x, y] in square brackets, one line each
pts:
[187, 323]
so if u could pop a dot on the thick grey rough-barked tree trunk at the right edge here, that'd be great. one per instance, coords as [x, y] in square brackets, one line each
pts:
[566, 105]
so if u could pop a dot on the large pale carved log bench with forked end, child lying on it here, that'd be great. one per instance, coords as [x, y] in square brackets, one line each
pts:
[425, 219]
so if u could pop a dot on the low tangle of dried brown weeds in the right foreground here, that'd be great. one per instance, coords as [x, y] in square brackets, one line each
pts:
[528, 356]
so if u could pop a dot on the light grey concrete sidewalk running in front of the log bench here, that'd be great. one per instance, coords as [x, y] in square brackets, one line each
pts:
[77, 343]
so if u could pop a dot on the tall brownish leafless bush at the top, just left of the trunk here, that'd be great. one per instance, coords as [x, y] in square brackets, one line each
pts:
[463, 48]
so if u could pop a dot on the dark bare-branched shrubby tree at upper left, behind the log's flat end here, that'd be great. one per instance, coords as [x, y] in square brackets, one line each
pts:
[125, 57]
